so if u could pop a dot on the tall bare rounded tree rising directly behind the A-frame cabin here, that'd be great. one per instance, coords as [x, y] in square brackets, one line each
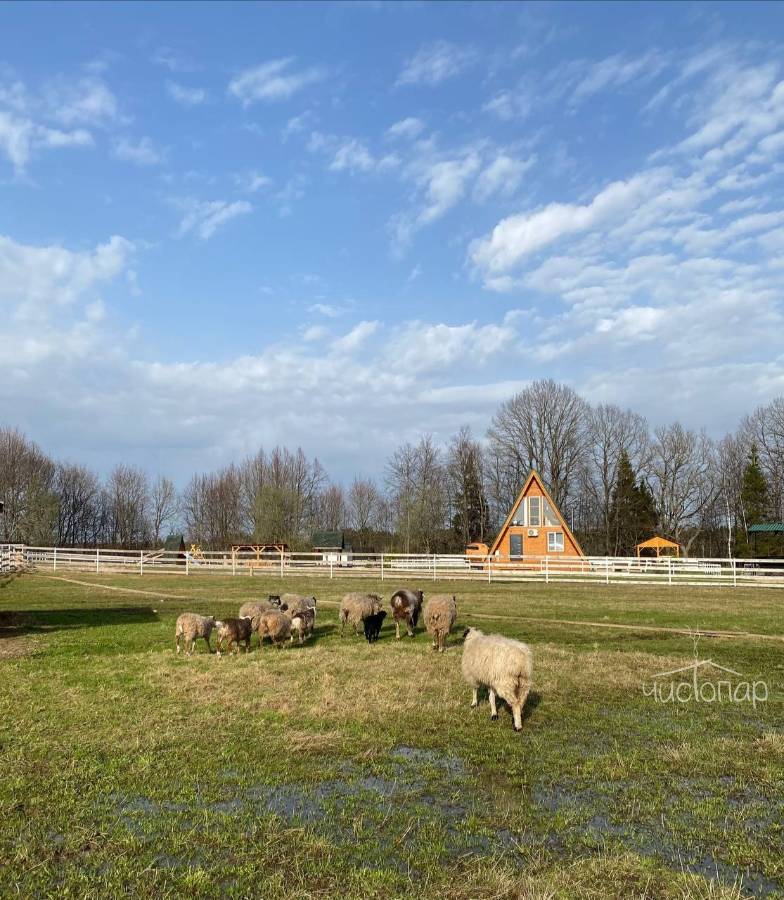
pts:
[543, 427]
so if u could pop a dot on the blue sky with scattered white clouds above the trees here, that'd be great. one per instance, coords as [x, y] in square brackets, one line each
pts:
[342, 226]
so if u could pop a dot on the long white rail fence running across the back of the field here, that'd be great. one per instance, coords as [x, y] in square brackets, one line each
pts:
[419, 567]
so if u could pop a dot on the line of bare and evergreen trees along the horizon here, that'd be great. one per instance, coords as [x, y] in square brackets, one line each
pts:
[615, 479]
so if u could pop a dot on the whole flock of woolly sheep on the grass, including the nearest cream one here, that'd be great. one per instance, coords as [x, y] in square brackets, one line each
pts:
[499, 664]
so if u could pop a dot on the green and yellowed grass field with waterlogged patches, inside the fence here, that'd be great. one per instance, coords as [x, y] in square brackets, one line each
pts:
[340, 769]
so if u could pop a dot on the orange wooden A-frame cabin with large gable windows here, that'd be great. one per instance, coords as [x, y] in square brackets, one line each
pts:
[534, 527]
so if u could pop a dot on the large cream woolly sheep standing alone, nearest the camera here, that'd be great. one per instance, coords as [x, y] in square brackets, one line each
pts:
[501, 665]
